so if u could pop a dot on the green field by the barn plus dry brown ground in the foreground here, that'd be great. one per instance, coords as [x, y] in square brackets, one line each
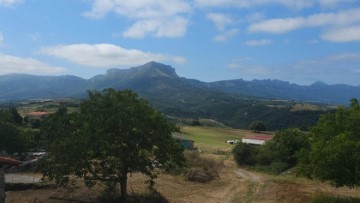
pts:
[233, 185]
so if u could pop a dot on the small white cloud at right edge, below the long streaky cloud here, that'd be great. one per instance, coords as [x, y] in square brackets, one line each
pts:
[346, 34]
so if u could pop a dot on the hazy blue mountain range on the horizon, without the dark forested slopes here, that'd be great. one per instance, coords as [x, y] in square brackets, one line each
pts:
[158, 79]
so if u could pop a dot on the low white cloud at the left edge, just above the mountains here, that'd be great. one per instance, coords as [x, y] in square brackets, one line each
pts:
[14, 64]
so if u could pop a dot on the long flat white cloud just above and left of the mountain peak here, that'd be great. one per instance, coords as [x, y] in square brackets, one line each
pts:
[105, 55]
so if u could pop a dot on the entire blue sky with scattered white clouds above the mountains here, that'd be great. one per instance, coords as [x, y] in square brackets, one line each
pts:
[300, 41]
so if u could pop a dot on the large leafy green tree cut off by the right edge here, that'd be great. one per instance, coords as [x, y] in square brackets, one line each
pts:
[335, 152]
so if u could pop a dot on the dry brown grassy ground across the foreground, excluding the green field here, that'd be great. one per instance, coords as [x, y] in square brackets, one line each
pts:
[234, 185]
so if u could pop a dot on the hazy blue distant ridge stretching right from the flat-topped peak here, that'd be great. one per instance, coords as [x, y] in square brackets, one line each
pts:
[276, 89]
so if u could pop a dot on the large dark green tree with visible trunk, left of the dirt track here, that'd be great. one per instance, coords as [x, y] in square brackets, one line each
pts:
[114, 134]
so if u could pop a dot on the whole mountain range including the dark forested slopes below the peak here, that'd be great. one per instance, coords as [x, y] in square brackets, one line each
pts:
[234, 103]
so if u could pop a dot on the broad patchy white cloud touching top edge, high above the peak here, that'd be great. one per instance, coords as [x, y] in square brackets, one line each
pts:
[151, 17]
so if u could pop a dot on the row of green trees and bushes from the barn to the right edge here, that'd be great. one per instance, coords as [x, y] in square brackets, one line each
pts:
[330, 151]
